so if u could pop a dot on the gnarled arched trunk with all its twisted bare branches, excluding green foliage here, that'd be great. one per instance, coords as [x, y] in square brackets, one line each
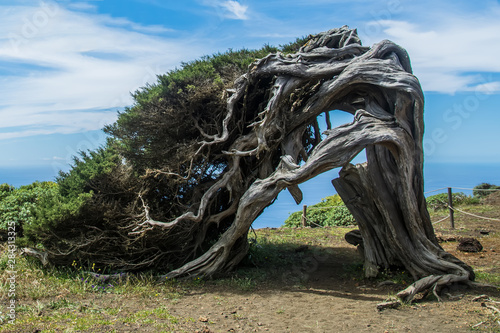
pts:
[267, 139]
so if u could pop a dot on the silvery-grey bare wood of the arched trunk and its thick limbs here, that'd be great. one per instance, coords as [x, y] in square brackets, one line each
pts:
[385, 194]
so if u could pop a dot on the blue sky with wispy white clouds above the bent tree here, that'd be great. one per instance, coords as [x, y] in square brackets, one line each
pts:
[67, 67]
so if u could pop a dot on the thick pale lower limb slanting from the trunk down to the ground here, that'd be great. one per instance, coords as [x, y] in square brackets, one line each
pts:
[338, 148]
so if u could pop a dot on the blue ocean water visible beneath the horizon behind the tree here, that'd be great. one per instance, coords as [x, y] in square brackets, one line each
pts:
[436, 176]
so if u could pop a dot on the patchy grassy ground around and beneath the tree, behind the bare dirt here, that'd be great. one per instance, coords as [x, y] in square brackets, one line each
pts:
[48, 299]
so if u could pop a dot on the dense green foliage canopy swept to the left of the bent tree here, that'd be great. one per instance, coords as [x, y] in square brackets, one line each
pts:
[152, 167]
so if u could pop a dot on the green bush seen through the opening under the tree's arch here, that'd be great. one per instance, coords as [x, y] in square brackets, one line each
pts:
[329, 212]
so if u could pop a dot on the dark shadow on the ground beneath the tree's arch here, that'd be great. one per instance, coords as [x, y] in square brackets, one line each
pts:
[330, 270]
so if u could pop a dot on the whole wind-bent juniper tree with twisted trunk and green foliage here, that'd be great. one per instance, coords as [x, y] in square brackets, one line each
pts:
[204, 154]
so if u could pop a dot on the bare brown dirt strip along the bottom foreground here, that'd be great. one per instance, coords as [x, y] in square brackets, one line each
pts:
[312, 309]
